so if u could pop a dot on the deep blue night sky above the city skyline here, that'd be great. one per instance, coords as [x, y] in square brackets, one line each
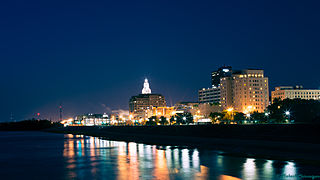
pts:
[93, 55]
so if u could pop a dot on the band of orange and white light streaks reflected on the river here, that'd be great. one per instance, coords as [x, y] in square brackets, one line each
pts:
[92, 157]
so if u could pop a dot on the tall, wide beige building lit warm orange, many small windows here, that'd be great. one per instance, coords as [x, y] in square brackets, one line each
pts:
[245, 91]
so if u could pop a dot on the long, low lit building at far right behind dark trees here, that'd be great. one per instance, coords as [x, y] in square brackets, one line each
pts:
[291, 92]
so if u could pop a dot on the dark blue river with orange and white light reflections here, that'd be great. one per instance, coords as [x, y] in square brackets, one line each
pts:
[40, 155]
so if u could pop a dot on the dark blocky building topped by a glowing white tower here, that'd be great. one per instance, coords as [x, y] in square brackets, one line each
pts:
[140, 105]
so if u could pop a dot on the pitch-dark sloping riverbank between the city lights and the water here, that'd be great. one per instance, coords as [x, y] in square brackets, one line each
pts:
[299, 142]
